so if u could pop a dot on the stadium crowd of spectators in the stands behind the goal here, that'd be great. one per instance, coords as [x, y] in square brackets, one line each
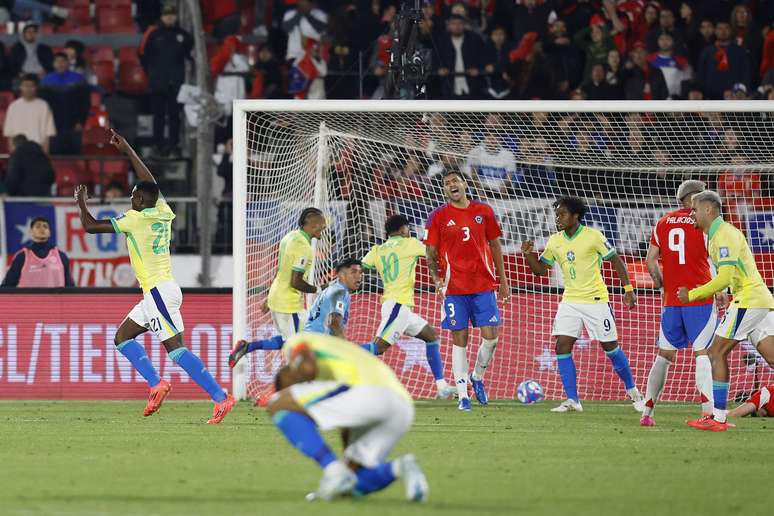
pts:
[496, 49]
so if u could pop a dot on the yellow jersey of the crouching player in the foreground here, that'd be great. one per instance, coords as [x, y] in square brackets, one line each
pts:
[341, 361]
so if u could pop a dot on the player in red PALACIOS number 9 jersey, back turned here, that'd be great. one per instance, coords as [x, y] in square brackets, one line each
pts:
[683, 252]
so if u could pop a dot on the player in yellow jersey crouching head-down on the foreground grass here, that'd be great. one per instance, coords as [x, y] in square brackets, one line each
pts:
[330, 383]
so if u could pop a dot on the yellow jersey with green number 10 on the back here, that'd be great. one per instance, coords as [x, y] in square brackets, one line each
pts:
[396, 262]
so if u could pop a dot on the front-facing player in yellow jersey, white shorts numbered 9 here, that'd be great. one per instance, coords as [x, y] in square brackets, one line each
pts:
[579, 250]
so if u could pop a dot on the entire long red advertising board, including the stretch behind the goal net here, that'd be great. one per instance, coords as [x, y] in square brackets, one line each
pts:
[61, 347]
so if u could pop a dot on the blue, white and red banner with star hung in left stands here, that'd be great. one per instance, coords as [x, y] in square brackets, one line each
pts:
[99, 260]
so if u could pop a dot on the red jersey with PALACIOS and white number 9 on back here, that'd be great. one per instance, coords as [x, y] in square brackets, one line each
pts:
[684, 256]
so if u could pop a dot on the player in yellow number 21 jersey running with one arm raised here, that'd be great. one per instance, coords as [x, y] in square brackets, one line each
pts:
[148, 229]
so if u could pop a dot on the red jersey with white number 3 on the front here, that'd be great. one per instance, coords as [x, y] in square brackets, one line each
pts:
[462, 237]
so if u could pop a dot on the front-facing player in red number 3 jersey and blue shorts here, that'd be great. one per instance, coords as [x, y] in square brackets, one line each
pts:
[463, 244]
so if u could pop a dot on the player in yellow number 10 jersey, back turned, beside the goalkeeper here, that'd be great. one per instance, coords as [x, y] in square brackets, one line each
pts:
[396, 262]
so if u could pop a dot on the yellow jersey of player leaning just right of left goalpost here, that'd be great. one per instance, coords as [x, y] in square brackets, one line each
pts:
[295, 254]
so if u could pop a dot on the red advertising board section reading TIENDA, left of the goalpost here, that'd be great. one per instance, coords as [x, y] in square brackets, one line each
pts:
[61, 346]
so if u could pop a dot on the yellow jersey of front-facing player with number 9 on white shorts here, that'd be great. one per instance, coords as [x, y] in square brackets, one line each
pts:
[580, 258]
